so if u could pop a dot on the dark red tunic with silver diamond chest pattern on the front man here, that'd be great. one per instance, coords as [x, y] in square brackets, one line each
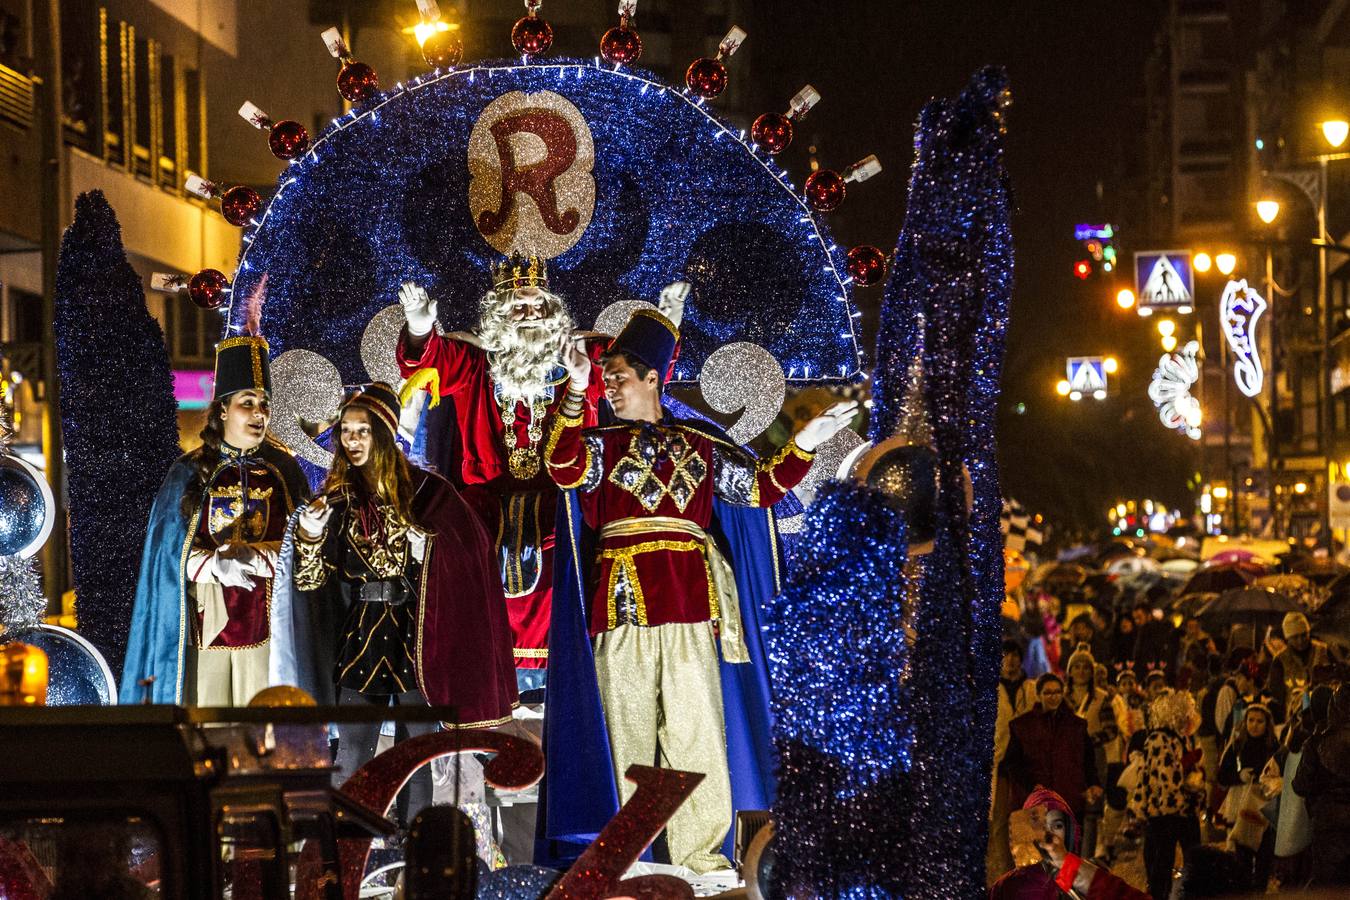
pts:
[674, 470]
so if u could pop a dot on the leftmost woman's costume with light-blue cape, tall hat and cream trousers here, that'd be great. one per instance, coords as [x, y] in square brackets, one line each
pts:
[194, 639]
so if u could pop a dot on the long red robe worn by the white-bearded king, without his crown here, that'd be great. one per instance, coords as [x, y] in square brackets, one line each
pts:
[519, 513]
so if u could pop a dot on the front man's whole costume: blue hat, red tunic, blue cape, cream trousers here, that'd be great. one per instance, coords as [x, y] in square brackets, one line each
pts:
[642, 605]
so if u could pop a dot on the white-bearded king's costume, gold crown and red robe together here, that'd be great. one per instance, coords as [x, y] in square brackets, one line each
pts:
[500, 459]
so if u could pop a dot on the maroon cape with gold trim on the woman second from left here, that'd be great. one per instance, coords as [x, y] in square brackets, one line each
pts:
[464, 632]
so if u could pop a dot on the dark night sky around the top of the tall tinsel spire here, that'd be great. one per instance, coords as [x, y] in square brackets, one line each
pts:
[1077, 118]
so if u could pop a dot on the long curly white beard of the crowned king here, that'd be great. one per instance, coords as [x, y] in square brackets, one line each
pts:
[523, 357]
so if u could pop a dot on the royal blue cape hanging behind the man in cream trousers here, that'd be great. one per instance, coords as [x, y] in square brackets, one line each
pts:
[578, 795]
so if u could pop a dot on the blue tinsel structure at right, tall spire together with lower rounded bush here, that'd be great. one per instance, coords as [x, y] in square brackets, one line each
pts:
[885, 755]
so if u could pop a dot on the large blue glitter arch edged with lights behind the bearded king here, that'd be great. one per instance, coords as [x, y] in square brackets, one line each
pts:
[381, 199]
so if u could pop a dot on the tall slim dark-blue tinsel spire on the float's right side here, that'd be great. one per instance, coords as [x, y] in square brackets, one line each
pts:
[948, 302]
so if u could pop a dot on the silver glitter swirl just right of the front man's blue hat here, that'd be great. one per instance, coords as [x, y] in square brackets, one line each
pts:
[745, 377]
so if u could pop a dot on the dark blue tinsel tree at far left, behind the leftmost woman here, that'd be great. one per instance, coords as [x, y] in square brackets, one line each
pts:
[118, 416]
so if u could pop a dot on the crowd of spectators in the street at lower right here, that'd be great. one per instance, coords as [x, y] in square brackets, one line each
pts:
[1164, 755]
